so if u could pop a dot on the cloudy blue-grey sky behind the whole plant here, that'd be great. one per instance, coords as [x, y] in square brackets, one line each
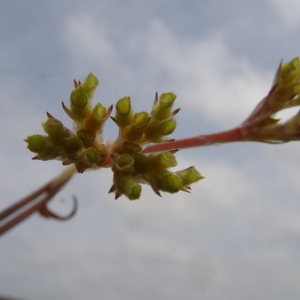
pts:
[236, 236]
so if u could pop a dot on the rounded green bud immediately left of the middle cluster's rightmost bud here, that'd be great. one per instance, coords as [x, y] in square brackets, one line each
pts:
[168, 182]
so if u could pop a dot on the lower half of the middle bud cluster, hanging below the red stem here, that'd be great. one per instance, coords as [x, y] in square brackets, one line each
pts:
[130, 170]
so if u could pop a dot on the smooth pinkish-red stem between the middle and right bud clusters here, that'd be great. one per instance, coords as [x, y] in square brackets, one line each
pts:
[232, 135]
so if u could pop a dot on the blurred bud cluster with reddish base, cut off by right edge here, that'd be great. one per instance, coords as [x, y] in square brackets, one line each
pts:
[263, 125]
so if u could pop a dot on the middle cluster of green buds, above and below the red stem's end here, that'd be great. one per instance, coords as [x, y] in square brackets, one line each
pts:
[131, 166]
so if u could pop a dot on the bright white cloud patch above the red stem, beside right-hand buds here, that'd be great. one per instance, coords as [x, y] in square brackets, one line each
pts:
[207, 75]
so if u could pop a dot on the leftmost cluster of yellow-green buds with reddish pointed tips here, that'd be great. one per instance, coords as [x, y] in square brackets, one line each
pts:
[83, 146]
